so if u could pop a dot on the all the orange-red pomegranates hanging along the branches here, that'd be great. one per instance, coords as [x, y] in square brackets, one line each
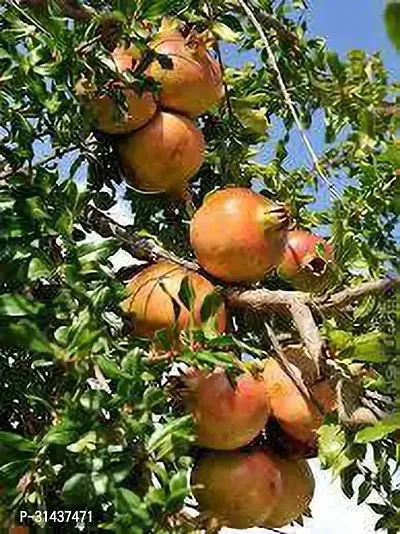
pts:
[238, 236]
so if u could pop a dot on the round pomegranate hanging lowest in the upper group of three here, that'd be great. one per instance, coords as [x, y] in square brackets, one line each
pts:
[164, 155]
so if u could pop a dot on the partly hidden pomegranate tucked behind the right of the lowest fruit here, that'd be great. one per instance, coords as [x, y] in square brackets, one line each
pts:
[298, 490]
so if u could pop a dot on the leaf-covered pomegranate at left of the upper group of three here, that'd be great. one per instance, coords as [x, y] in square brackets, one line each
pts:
[113, 119]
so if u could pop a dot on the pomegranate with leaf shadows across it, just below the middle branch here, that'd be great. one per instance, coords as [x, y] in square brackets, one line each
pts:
[150, 304]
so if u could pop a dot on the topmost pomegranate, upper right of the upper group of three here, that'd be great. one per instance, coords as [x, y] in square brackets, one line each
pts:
[194, 83]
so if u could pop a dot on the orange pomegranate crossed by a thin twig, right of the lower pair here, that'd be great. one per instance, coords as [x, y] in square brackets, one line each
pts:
[298, 416]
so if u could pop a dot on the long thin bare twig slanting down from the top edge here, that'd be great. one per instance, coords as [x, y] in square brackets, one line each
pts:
[286, 96]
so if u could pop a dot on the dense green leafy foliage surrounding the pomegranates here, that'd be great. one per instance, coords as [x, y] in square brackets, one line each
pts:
[94, 426]
